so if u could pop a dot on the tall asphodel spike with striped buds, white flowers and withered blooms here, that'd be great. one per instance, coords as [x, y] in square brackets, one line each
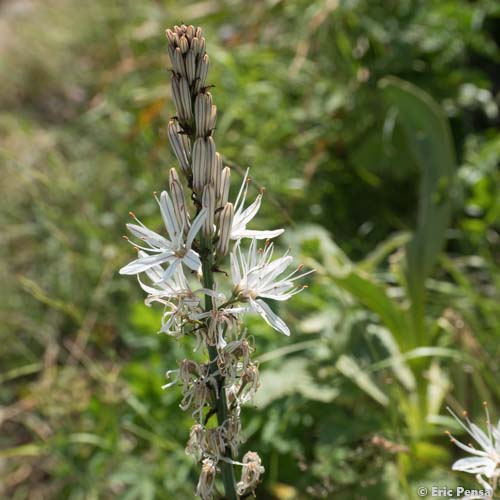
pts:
[207, 270]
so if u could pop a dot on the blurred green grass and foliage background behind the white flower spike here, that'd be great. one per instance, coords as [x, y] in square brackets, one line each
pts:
[373, 126]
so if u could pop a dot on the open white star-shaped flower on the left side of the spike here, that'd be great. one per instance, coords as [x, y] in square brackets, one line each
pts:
[173, 251]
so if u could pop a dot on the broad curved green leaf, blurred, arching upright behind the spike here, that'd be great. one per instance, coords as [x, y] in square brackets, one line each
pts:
[429, 142]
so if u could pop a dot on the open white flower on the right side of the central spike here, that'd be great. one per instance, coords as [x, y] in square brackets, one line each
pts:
[255, 277]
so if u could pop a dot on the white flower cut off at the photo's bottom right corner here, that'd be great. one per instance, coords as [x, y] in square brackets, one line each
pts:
[486, 458]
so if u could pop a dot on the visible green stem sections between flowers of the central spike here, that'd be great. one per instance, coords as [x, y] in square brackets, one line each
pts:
[220, 402]
